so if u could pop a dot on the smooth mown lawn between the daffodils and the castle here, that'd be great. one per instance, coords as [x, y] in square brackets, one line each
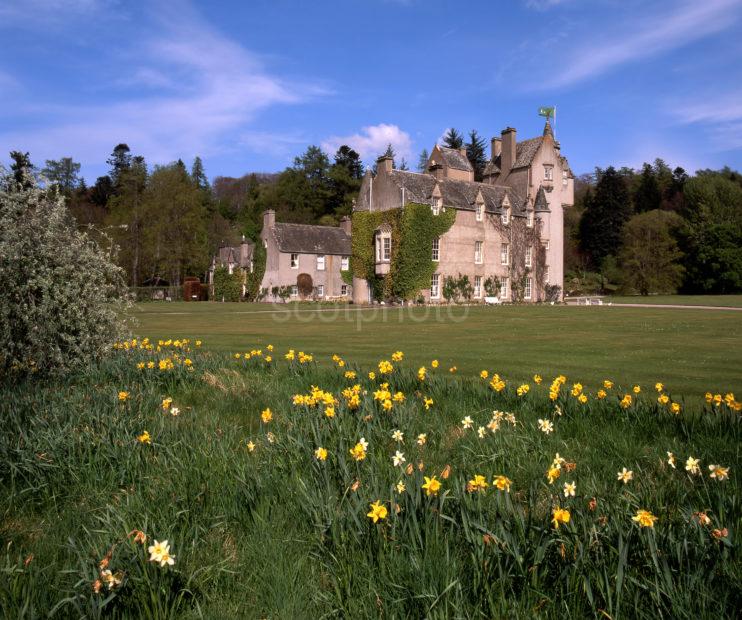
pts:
[692, 351]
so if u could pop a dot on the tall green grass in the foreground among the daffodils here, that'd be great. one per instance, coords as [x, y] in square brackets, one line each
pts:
[277, 533]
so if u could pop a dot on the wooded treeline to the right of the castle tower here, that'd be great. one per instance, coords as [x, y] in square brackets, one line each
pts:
[655, 230]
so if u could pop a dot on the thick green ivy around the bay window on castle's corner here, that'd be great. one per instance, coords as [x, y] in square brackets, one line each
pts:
[413, 229]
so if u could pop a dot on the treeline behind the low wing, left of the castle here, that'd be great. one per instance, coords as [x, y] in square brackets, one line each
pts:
[167, 222]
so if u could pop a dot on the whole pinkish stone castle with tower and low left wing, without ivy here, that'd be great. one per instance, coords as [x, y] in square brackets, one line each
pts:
[507, 229]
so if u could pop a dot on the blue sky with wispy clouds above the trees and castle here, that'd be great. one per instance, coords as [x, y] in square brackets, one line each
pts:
[248, 85]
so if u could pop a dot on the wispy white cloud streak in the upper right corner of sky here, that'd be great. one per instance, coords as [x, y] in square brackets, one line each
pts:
[665, 30]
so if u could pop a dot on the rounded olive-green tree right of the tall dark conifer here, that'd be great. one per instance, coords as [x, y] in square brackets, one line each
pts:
[650, 255]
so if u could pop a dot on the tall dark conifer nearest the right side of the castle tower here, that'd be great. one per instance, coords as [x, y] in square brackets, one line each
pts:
[601, 227]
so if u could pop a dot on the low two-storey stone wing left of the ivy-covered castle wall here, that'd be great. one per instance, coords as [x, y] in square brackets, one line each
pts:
[320, 252]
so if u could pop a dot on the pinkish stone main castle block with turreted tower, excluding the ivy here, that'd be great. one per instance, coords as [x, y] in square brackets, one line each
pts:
[510, 226]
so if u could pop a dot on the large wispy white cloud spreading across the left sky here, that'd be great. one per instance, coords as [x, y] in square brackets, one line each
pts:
[193, 91]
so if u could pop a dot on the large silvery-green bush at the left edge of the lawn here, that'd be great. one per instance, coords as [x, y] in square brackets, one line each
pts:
[62, 297]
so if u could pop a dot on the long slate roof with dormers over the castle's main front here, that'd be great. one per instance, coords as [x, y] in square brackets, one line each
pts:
[455, 193]
